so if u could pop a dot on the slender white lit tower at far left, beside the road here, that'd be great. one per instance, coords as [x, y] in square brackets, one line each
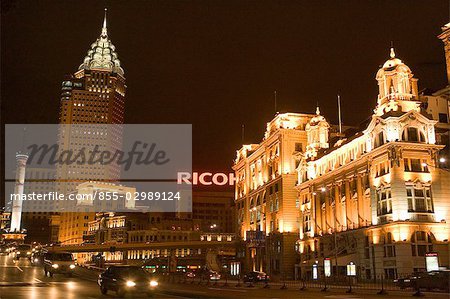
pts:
[16, 215]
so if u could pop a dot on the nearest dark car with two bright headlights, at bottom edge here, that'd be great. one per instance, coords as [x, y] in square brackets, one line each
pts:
[127, 279]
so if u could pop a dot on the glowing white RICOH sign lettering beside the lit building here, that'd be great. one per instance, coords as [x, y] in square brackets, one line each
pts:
[205, 178]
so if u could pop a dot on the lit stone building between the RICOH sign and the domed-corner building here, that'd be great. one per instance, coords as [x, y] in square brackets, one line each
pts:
[265, 196]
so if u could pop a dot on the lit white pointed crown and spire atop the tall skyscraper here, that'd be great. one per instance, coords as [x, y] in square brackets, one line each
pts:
[102, 54]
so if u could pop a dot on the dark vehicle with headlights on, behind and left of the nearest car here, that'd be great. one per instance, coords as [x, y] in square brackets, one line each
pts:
[58, 263]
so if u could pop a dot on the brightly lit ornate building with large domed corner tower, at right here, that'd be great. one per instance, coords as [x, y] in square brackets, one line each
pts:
[380, 197]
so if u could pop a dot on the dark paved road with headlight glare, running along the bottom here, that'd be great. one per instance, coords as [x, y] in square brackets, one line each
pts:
[21, 280]
